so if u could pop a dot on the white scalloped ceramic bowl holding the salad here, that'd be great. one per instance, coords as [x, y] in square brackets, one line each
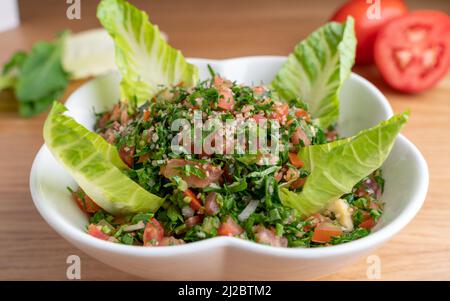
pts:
[362, 106]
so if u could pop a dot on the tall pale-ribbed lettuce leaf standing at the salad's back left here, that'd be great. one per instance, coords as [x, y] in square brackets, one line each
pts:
[147, 63]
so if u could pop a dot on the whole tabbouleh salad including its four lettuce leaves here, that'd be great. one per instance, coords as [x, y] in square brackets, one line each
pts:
[140, 188]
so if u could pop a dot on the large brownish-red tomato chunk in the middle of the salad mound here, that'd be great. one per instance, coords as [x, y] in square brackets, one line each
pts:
[212, 173]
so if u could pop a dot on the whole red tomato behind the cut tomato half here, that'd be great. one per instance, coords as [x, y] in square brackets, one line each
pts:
[367, 24]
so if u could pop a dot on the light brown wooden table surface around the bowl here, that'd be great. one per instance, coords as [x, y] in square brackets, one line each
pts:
[30, 249]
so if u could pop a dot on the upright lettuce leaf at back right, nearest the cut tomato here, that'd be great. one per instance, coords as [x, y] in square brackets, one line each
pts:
[316, 70]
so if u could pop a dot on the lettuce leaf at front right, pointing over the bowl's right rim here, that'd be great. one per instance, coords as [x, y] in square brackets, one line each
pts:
[335, 168]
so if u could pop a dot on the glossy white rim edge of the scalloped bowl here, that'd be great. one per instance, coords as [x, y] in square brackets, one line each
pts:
[80, 238]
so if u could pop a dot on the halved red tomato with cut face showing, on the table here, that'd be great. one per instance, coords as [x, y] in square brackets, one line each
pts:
[413, 52]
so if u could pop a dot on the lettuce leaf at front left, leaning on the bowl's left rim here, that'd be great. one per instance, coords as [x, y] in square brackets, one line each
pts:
[95, 165]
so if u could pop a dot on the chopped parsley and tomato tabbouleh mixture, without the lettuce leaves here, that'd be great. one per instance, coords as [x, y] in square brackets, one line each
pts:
[230, 195]
